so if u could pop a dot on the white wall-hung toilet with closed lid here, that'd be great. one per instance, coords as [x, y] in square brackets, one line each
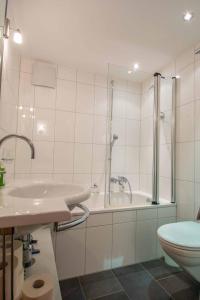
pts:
[181, 241]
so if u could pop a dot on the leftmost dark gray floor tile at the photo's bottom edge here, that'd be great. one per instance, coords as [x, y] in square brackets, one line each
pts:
[71, 290]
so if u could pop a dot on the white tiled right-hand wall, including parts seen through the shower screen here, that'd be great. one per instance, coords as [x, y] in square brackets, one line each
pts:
[187, 66]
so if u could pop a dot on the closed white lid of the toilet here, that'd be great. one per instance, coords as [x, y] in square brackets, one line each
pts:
[183, 234]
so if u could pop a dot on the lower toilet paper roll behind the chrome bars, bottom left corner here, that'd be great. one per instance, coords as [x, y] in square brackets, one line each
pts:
[17, 290]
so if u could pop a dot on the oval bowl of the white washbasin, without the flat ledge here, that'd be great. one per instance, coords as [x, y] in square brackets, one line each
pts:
[71, 193]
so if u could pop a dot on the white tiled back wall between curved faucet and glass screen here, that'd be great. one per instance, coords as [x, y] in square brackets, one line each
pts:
[67, 125]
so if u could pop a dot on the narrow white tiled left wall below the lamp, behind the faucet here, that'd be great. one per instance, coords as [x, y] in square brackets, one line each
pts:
[9, 99]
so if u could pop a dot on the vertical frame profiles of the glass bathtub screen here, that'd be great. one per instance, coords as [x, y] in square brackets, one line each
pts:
[156, 140]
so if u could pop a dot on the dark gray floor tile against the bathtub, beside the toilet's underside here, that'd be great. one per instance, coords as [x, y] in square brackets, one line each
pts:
[159, 269]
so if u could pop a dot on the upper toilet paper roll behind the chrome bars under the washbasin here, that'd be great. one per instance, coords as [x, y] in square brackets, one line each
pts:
[18, 251]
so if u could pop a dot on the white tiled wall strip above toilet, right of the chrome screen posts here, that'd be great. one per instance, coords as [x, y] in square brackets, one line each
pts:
[187, 137]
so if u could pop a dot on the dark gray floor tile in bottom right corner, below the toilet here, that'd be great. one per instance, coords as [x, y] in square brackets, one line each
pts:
[181, 287]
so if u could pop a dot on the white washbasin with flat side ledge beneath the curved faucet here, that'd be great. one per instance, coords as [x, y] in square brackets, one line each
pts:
[25, 203]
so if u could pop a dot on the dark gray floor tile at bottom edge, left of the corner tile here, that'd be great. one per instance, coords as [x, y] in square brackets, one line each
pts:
[141, 286]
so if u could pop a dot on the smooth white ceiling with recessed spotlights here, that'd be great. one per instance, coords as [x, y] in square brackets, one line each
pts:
[91, 33]
